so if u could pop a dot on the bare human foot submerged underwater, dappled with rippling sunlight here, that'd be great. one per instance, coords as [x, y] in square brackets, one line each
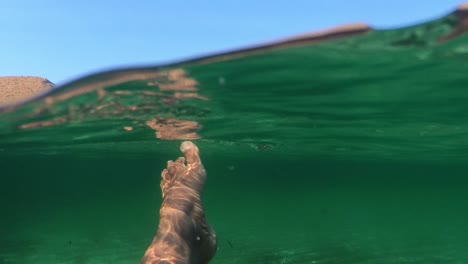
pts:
[183, 236]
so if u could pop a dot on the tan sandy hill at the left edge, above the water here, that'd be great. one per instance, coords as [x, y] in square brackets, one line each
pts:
[19, 88]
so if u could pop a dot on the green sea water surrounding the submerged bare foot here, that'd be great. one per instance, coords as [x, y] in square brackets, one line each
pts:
[352, 151]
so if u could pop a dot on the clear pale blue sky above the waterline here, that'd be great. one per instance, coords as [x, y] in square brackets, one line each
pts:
[63, 40]
